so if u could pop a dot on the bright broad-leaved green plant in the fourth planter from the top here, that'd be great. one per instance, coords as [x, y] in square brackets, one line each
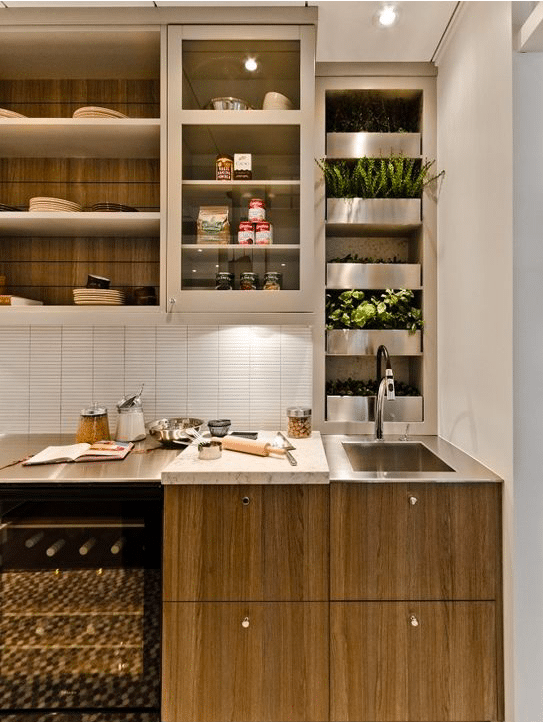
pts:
[390, 310]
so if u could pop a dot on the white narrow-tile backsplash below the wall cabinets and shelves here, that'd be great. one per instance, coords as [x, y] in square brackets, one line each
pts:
[249, 374]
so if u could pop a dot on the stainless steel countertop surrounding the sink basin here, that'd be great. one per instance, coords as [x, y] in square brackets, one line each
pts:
[465, 467]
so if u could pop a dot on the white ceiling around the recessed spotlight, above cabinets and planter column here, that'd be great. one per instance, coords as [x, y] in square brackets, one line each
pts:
[346, 32]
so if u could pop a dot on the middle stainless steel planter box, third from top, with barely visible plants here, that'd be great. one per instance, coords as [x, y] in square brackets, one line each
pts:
[373, 275]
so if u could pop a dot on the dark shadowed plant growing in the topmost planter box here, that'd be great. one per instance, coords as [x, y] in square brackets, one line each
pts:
[370, 111]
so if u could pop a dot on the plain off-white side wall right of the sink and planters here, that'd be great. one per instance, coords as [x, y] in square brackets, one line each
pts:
[475, 255]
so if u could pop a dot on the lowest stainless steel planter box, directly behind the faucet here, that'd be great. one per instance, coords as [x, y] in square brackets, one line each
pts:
[362, 408]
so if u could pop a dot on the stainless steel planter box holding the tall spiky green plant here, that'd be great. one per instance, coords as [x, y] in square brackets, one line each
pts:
[396, 211]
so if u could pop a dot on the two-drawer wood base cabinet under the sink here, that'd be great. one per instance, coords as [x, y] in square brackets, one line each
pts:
[415, 611]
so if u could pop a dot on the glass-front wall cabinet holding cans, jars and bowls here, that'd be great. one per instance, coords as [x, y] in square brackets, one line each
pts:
[240, 168]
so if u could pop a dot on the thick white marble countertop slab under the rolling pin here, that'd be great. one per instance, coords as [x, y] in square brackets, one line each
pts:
[234, 467]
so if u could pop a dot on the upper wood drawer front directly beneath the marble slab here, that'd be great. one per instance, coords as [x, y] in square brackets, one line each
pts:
[229, 543]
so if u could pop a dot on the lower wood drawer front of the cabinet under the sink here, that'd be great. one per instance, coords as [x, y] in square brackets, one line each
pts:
[416, 661]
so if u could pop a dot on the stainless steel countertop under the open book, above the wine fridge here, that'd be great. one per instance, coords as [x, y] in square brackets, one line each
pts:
[136, 467]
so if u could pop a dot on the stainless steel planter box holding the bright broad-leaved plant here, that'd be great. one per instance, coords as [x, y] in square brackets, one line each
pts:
[357, 342]
